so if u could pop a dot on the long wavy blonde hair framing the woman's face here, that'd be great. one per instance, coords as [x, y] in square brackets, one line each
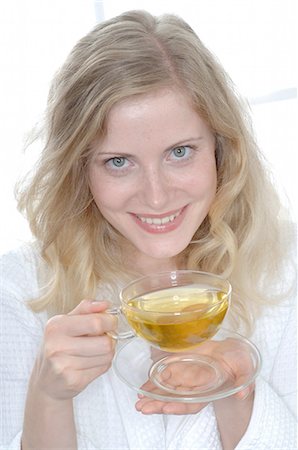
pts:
[133, 54]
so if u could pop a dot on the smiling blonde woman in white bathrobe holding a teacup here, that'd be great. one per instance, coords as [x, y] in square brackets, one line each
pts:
[149, 164]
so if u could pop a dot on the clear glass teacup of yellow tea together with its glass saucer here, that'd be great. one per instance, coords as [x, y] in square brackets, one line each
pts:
[181, 352]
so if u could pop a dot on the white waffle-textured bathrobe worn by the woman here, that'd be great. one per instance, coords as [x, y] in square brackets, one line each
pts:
[106, 418]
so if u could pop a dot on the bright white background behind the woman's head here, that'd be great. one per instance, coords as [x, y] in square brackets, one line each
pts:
[256, 41]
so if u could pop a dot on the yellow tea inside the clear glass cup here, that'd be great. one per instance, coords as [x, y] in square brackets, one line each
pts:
[178, 318]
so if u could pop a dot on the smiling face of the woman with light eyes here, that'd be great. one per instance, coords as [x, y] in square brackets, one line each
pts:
[153, 176]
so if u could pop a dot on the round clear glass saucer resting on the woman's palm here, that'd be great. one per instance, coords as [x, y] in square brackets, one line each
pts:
[203, 374]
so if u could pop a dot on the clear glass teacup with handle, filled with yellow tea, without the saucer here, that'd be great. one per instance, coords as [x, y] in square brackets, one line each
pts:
[175, 311]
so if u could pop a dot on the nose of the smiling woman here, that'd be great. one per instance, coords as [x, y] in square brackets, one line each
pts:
[155, 188]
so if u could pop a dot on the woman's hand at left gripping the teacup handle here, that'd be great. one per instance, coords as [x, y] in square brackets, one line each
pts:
[76, 349]
